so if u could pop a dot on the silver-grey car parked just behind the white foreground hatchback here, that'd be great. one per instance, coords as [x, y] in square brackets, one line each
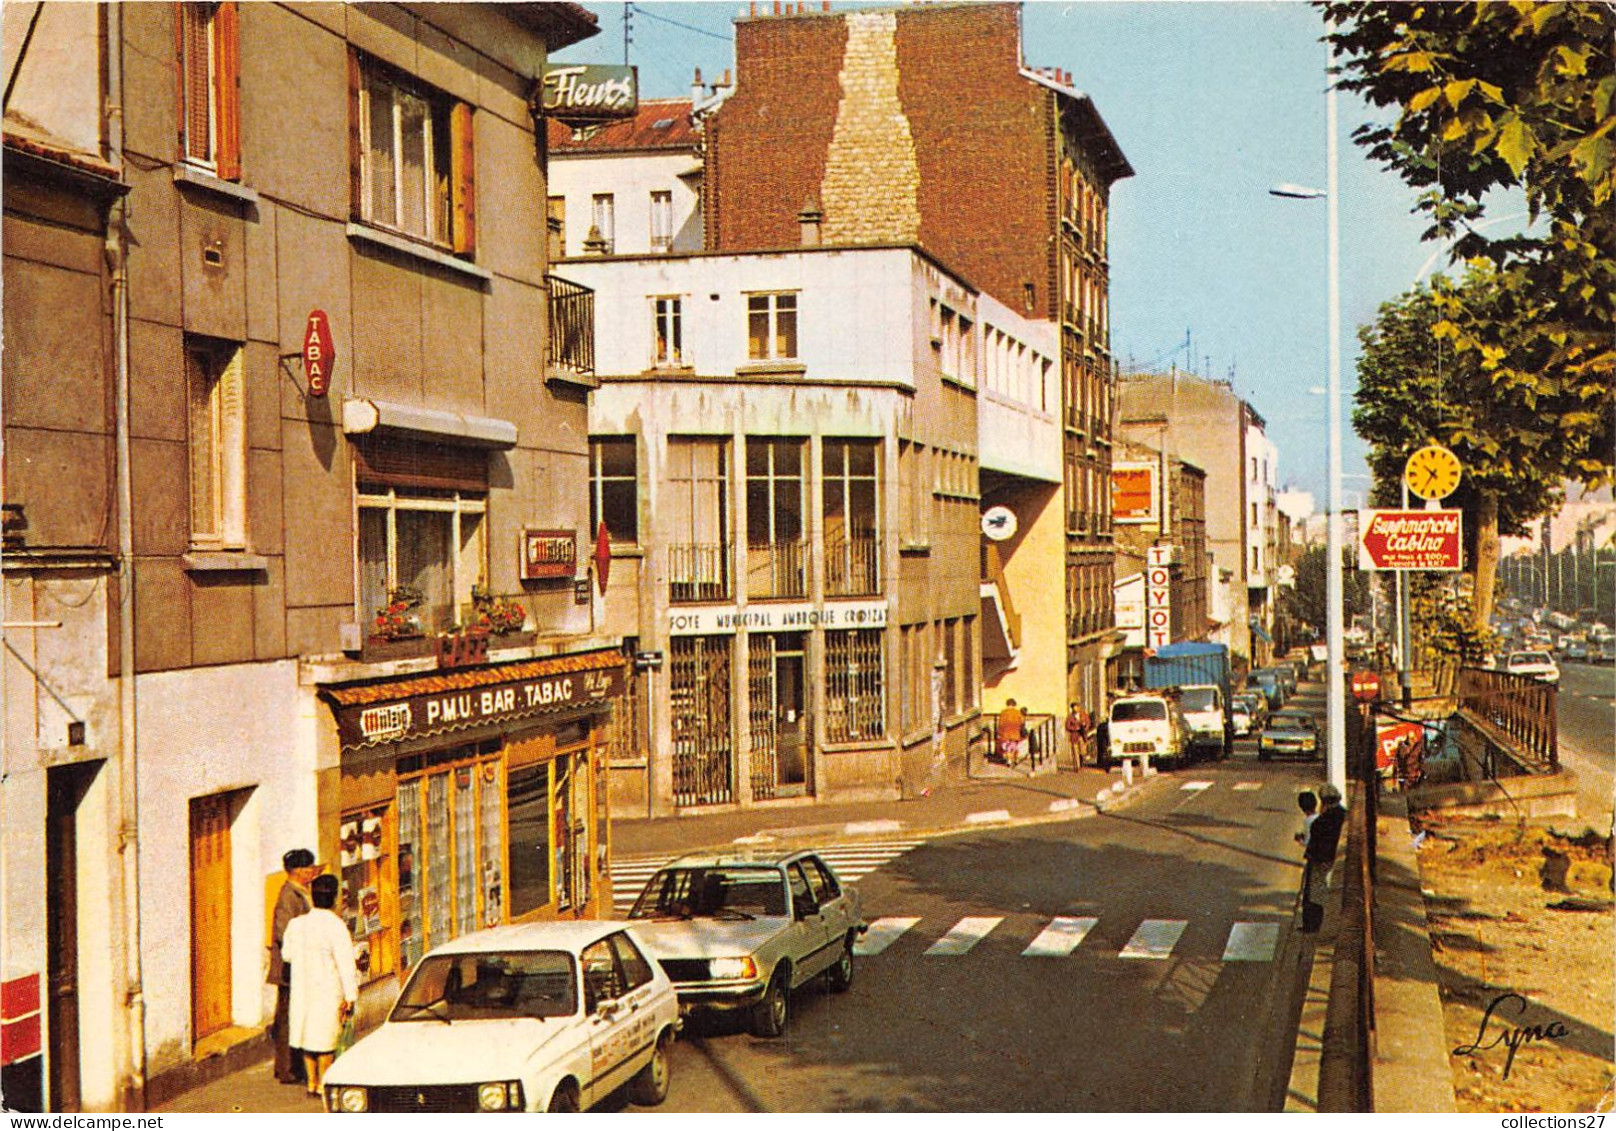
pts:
[743, 930]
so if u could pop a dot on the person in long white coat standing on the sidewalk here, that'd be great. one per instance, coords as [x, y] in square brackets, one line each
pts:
[327, 980]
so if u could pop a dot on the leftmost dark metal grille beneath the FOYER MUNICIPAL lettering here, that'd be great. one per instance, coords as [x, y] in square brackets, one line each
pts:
[701, 700]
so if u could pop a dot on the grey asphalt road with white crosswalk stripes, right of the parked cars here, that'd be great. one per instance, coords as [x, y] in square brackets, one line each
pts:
[1205, 1027]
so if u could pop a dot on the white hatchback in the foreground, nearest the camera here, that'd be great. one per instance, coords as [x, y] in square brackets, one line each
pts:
[537, 1017]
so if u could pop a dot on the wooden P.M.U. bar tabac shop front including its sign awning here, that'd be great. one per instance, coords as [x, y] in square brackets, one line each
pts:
[471, 799]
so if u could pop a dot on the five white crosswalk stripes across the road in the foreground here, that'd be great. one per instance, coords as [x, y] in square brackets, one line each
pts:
[1063, 936]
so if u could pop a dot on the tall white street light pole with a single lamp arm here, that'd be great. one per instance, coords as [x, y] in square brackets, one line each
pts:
[1336, 650]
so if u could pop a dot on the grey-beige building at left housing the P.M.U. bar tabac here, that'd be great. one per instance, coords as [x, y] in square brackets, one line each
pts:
[297, 490]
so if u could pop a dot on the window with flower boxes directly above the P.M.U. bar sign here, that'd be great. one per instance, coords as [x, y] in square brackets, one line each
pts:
[424, 545]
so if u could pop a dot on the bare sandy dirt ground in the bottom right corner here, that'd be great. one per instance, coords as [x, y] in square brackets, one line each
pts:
[1520, 910]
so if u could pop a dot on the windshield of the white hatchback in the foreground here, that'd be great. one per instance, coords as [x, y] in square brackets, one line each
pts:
[490, 986]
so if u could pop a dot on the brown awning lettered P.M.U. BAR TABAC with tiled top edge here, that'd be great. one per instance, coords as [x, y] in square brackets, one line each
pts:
[424, 707]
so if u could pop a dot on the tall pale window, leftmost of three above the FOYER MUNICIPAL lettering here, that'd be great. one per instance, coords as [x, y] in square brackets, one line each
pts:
[697, 521]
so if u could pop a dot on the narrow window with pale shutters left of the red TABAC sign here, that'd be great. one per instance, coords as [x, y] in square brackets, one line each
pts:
[216, 408]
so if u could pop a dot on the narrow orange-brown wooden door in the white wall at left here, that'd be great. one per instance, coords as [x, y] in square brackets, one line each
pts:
[209, 915]
